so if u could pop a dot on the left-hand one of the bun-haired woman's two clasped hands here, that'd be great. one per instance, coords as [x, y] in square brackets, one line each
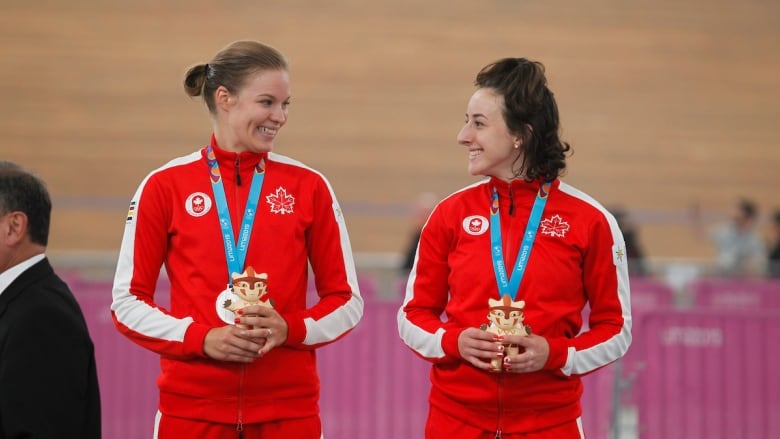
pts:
[233, 343]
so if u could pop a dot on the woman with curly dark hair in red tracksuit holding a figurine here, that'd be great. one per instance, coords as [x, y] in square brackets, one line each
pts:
[519, 247]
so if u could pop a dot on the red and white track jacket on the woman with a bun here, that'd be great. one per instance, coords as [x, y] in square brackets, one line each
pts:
[173, 221]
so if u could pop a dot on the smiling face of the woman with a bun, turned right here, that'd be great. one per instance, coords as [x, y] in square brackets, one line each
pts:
[251, 119]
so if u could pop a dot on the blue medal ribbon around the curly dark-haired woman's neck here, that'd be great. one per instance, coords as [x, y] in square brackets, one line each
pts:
[507, 285]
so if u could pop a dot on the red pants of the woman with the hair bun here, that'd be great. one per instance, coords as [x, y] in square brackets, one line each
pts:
[169, 427]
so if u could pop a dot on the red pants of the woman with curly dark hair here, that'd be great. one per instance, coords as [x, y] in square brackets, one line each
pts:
[442, 426]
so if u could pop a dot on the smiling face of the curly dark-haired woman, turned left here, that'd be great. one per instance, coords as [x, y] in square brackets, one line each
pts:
[490, 145]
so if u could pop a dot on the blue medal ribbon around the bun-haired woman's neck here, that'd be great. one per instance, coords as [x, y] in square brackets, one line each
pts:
[235, 251]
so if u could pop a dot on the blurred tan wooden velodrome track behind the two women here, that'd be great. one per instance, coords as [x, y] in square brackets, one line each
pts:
[667, 103]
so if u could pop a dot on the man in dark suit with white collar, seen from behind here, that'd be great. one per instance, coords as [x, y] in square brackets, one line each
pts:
[48, 379]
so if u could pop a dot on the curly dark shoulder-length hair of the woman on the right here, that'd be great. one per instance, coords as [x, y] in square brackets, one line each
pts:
[531, 112]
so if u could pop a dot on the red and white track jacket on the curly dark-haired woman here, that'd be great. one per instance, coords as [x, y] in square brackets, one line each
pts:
[578, 257]
